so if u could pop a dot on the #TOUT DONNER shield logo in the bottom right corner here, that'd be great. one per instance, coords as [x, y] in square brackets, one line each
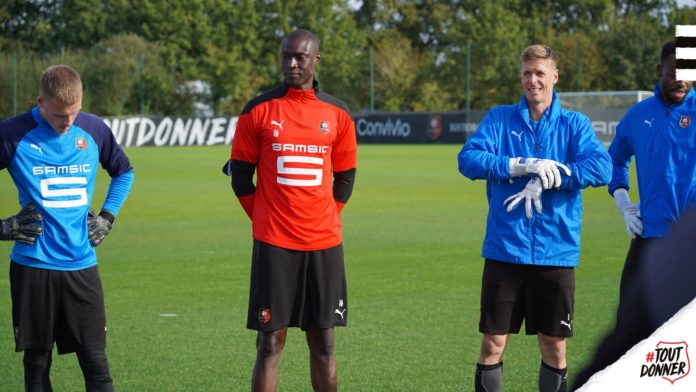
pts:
[670, 361]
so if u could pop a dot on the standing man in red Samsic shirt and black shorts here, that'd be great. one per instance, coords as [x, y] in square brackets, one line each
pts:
[296, 137]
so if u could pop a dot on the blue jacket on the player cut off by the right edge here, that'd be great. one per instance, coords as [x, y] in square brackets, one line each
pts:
[662, 137]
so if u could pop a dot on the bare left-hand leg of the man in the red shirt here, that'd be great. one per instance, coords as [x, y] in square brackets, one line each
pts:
[269, 346]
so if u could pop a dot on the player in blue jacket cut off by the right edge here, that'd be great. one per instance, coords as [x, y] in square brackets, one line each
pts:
[661, 133]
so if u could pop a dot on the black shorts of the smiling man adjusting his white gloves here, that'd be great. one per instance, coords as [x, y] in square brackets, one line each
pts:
[541, 296]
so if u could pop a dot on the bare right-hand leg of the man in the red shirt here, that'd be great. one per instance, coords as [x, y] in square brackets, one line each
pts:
[322, 362]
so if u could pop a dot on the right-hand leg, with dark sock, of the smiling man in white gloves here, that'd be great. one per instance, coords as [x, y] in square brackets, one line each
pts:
[553, 373]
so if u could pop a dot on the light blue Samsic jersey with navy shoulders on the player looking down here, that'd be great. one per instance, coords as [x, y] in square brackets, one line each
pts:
[56, 173]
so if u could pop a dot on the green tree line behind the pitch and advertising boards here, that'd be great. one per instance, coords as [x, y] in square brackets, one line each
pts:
[140, 56]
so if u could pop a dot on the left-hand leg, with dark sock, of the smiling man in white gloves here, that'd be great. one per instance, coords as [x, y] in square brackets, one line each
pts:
[489, 369]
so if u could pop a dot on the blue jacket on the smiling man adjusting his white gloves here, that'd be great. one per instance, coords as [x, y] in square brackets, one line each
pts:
[551, 238]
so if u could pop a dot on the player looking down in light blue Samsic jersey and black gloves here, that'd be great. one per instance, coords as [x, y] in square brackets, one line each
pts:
[53, 153]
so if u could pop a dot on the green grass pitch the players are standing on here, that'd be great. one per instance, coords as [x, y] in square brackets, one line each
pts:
[412, 233]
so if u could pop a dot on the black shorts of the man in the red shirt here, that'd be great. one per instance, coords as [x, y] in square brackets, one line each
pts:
[292, 288]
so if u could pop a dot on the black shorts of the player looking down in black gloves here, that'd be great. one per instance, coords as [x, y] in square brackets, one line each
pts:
[65, 307]
